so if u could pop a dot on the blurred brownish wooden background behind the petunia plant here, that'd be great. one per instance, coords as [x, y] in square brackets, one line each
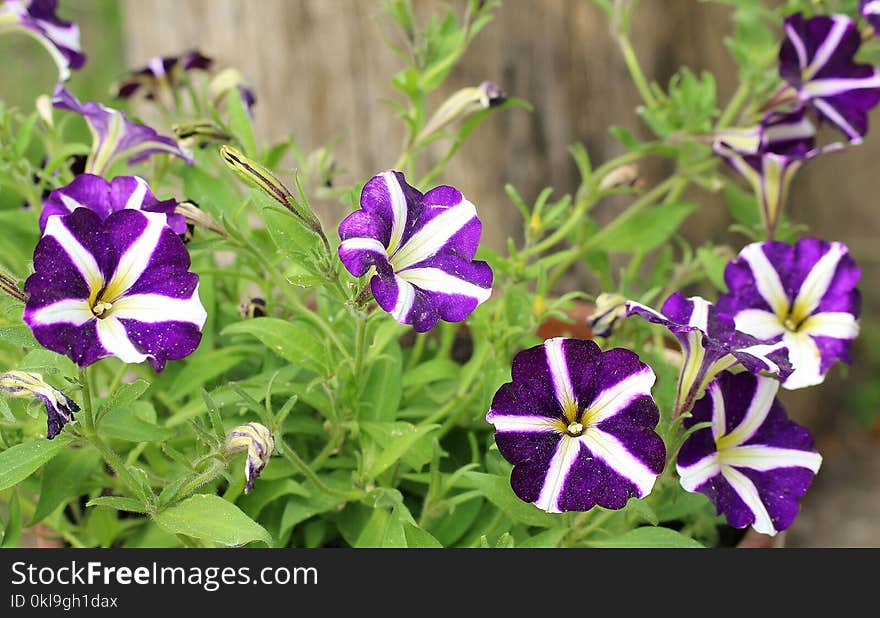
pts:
[320, 71]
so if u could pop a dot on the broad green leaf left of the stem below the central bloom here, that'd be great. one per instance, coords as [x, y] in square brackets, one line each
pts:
[294, 341]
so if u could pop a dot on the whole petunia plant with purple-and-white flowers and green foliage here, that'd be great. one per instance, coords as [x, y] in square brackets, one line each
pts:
[207, 339]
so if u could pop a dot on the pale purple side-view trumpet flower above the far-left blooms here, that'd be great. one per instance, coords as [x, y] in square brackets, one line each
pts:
[114, 136]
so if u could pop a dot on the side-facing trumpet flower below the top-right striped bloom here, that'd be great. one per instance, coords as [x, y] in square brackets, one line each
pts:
[769, 155]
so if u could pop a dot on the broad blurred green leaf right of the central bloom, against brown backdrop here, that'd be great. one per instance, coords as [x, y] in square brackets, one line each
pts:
[644, 231]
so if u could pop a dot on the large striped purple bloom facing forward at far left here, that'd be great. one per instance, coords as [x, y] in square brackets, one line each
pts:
[118, 286]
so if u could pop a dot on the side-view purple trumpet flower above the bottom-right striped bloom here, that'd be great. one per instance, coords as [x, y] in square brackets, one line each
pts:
[711, 344]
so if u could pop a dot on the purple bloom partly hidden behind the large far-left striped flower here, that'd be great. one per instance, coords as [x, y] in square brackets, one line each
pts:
[104, 198]
